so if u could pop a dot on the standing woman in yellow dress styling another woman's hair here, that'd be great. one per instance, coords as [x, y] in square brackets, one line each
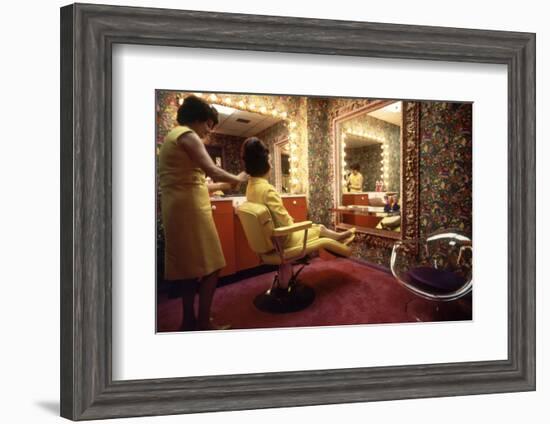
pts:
[193, 253]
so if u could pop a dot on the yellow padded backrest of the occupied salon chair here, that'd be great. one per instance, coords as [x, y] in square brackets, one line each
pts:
[257, 225]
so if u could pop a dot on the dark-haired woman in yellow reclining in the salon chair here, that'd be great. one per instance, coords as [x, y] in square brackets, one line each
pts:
[255, 156]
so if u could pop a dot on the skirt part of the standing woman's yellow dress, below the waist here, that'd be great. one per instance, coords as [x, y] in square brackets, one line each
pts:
[192, 245]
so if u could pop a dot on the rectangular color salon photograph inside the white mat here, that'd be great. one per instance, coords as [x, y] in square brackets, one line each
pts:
[280, 211]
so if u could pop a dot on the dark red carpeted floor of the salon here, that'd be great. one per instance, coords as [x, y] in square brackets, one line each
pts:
[346, 292]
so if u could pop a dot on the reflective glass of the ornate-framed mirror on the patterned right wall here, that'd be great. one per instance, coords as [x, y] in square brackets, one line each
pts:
[370, 177]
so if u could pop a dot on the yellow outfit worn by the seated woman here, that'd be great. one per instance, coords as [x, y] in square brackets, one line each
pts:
[260, 191]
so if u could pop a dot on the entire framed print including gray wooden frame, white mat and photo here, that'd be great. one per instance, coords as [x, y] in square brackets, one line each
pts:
[373, 141]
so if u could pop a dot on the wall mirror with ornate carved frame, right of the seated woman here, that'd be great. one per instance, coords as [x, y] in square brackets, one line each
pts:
[376, 172]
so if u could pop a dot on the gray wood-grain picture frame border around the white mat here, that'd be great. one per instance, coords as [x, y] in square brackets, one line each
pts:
[88, 33]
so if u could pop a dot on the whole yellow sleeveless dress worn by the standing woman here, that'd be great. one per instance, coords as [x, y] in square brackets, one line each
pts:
[192, 245]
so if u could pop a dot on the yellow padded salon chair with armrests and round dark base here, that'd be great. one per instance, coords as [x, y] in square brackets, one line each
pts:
[286, 294]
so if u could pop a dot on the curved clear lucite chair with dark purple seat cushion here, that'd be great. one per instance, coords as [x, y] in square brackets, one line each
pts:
[437, 268]
